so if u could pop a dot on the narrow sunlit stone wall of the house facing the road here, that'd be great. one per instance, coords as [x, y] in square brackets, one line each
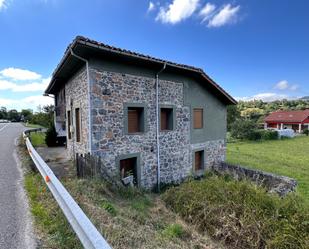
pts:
[76, 89]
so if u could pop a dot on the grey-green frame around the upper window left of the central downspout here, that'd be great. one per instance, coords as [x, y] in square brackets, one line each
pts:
[143, 119]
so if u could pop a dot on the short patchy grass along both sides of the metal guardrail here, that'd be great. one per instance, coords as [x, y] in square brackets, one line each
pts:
[126, 217]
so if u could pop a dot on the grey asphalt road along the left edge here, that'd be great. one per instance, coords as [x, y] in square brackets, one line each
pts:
[15, 223]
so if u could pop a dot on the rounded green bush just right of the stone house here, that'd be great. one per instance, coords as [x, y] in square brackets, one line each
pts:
[243, 129]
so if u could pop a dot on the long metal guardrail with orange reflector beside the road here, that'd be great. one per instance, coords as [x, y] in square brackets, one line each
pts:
[85, 230]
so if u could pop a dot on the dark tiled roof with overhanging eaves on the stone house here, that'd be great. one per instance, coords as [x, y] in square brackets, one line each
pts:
[85, 48]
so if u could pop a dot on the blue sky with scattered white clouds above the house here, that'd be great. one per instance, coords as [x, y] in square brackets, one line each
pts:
[254, 49]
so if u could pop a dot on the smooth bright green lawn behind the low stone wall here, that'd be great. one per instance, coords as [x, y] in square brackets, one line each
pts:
[289, 157]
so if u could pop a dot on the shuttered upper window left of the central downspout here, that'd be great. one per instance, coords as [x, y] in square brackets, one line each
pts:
[134, 121]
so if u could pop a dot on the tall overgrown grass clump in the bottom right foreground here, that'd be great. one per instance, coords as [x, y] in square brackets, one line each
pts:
[241, 214]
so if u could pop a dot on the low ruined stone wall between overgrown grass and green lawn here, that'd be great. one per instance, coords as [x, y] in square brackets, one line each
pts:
[274, 183]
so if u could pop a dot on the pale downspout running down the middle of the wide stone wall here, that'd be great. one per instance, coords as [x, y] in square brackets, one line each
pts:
[158, 126]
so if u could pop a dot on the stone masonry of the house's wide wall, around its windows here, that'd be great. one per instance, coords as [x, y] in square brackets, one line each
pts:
[110, 91]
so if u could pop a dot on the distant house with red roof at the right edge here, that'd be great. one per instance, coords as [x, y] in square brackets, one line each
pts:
[296, 120]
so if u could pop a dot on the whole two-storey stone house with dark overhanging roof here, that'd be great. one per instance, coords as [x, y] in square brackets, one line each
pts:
[156, 120]
